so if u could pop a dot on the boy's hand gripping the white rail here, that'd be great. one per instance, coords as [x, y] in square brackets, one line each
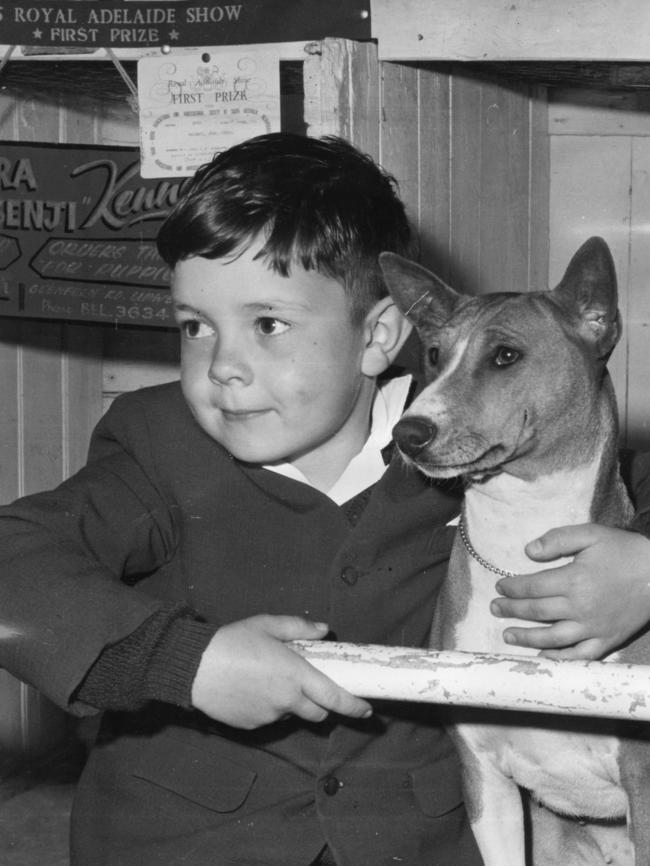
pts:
[248, 677]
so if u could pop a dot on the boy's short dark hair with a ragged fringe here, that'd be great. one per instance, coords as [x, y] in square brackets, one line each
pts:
[319, 203]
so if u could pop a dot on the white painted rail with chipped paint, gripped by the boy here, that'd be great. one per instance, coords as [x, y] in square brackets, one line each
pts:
[528, 683]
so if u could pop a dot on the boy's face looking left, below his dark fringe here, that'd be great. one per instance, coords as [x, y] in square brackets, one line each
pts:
[271, 366]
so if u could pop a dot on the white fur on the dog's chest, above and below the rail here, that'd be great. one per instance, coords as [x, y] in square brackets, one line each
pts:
[569, 772]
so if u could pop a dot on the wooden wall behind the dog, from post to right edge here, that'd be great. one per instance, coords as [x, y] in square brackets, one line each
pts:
[504, 187]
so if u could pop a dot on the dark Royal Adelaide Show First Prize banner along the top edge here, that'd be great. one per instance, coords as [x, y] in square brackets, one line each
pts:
[129, 24]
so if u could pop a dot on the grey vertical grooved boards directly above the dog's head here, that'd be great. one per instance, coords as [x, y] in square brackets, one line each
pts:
[470, 167]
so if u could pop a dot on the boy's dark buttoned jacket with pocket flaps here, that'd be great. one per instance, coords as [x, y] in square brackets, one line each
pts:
[161, 539]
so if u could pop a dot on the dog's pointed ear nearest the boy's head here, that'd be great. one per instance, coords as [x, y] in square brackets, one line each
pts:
[421, 296]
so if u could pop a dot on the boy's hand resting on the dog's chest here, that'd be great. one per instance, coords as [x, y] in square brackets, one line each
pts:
[595, 603]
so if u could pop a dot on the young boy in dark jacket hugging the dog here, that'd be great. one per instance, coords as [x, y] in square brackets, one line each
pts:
[217, 519]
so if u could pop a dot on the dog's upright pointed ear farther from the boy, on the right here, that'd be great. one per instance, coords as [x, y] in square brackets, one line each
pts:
[588, 291]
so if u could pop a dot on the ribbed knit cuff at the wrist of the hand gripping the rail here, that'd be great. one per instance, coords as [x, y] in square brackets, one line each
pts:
[175, 659]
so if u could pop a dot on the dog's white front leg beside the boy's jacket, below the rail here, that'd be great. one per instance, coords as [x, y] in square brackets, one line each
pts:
[494, 807]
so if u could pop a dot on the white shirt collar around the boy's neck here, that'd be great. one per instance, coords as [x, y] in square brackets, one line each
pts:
[367, 466]
